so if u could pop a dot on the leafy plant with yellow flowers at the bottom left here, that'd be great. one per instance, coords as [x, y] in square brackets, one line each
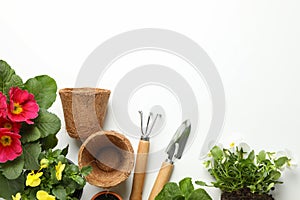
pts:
[56, 178]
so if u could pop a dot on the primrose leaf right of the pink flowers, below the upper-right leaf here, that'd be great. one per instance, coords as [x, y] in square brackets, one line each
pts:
[44, 125]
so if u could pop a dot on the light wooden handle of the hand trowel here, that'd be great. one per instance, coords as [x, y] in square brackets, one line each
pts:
[162, 178]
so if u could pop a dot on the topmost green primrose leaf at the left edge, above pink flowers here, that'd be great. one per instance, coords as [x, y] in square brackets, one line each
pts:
[8, 78]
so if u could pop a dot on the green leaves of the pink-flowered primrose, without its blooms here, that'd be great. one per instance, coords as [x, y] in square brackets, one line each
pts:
[35, 137]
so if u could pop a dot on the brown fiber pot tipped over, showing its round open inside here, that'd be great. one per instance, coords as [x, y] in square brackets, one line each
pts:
[111, 156]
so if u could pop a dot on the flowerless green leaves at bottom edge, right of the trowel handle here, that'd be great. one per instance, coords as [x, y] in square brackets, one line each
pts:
[185, 190]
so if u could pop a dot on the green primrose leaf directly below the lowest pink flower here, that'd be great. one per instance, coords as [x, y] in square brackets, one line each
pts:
[13, 169]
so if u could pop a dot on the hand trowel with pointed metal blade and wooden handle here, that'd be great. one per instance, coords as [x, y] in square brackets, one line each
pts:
[174, 151]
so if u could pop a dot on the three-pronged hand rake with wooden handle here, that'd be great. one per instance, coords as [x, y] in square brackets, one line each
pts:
[142, 157]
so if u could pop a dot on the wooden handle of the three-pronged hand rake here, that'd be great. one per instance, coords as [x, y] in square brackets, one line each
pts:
[140, 170]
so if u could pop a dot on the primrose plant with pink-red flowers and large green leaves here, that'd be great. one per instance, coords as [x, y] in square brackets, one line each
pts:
[26, 127]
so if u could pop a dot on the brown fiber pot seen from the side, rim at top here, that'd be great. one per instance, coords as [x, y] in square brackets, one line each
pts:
[84, 110]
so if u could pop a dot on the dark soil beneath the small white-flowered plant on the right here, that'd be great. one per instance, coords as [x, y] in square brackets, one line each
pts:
[245, 194]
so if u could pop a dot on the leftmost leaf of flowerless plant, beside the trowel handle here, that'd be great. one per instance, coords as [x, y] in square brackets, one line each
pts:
[170, 190]
